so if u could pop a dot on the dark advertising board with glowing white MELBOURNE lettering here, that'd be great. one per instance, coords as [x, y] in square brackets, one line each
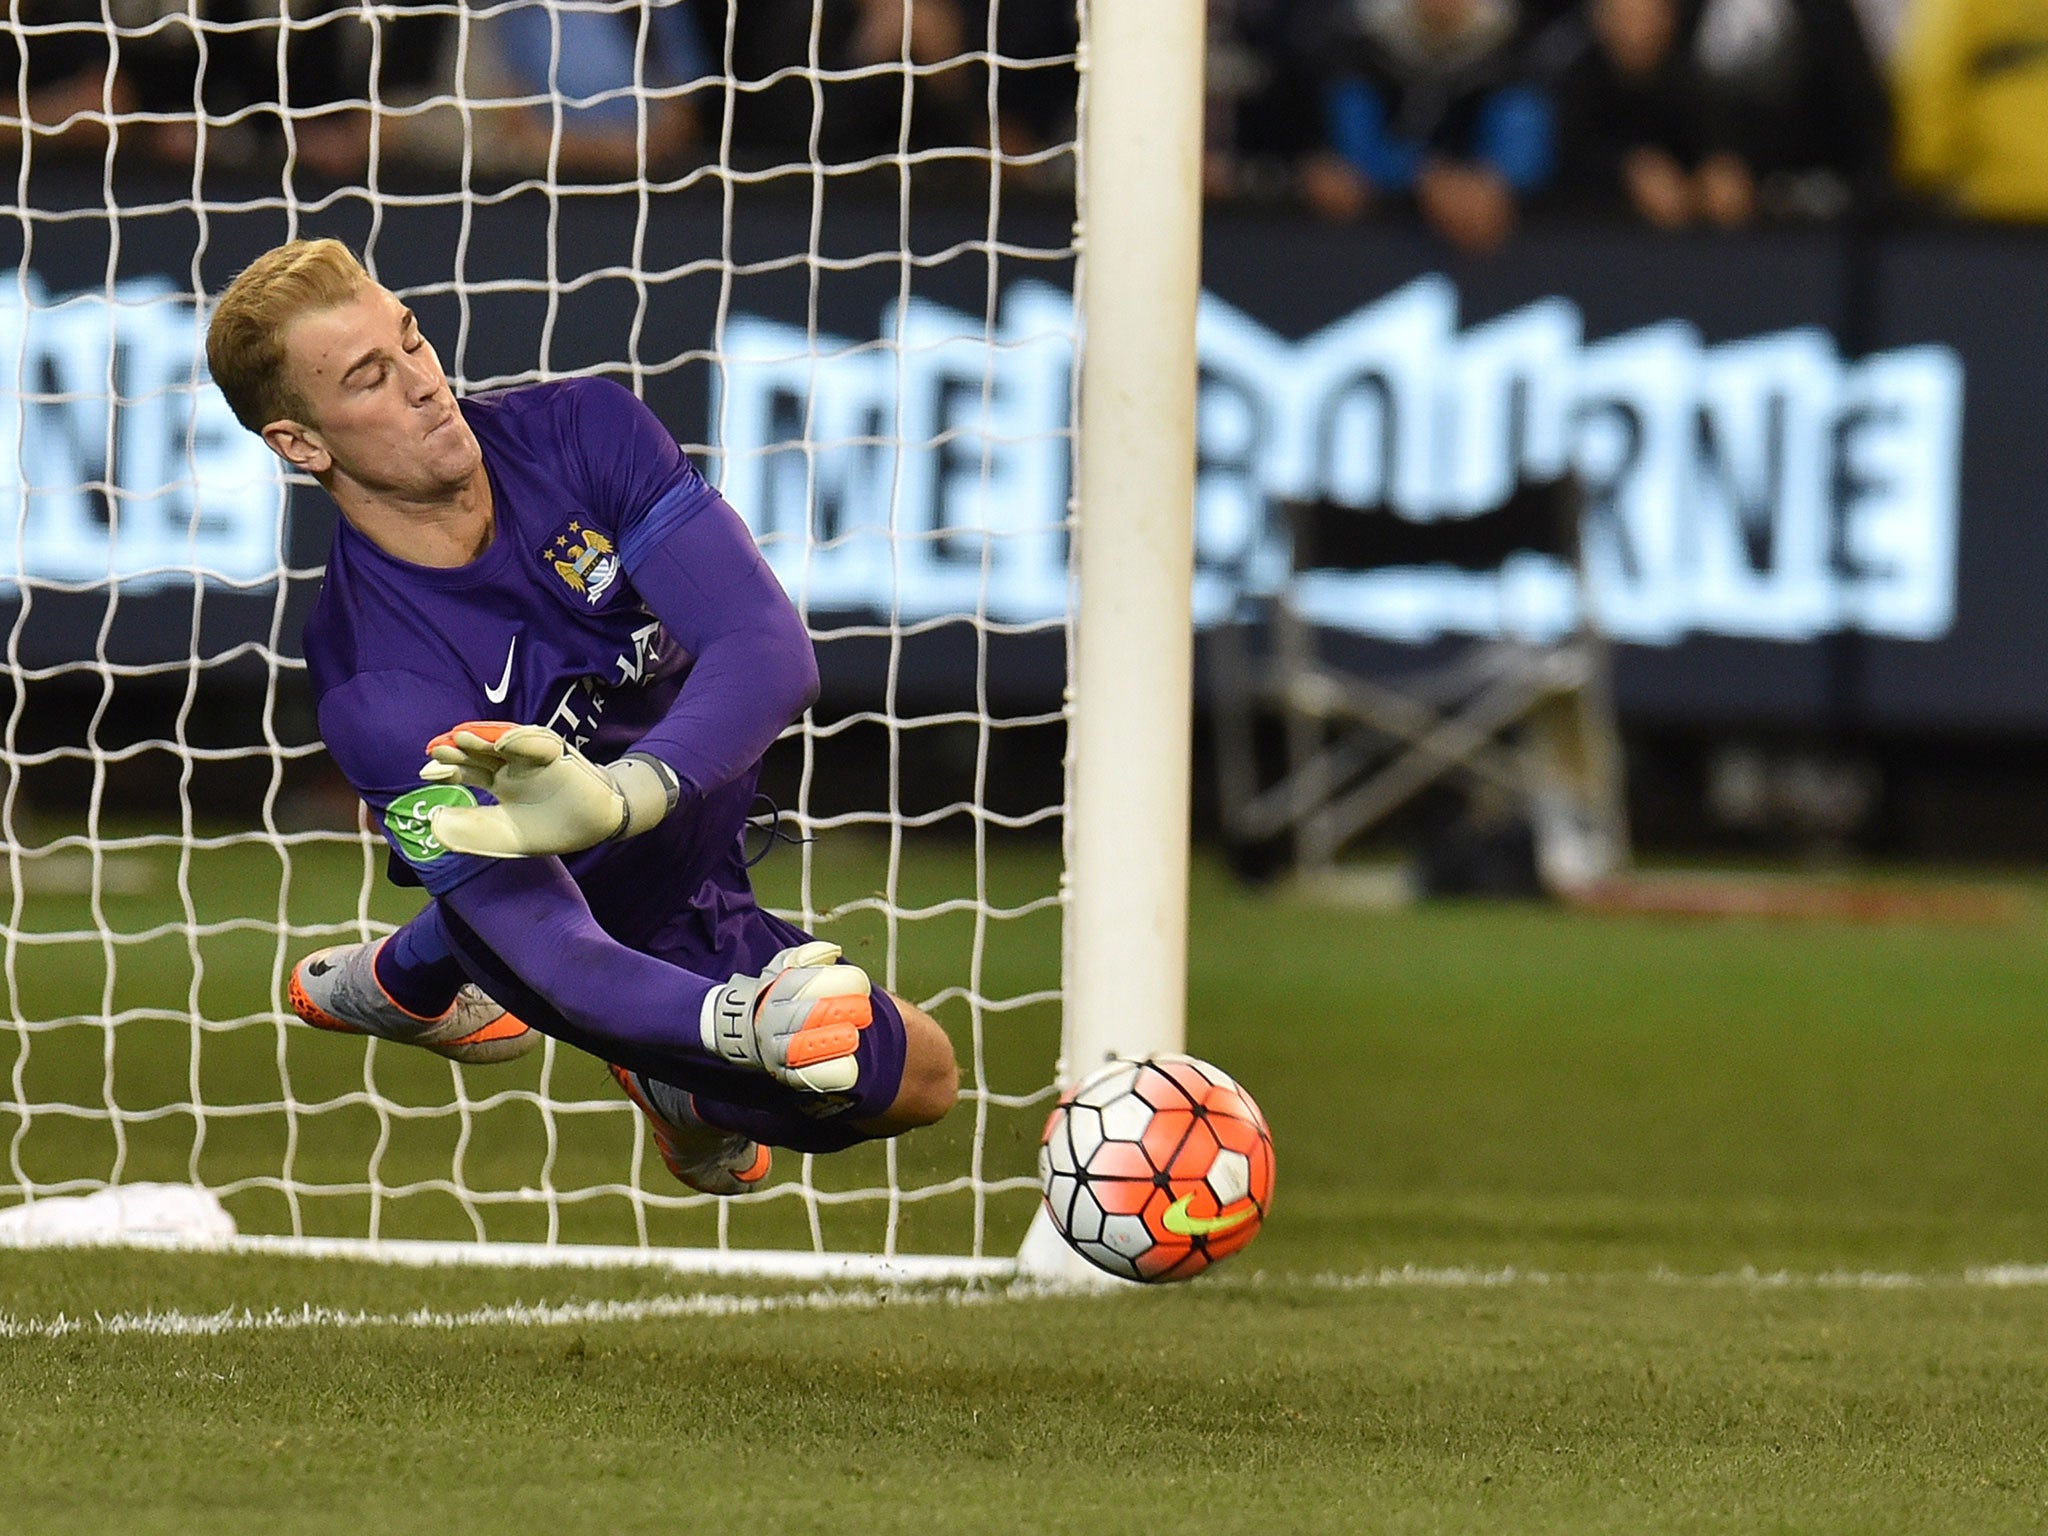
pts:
[1809, 460]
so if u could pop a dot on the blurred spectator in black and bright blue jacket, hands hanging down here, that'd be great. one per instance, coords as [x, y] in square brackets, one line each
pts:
[1428, 101]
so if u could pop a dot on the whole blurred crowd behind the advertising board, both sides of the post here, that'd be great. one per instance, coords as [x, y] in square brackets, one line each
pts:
[1467, 112]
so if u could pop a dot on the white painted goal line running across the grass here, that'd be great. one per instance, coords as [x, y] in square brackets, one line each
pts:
[644, 1310]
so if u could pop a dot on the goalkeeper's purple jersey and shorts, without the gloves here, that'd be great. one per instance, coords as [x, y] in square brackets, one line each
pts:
[624, 605]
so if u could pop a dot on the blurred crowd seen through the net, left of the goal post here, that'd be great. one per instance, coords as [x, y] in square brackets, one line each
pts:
[591, 91]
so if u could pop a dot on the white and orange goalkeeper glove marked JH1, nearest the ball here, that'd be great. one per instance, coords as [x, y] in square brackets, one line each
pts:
[800, 1021]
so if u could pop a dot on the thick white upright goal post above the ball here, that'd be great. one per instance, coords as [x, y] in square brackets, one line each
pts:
[1134, 644]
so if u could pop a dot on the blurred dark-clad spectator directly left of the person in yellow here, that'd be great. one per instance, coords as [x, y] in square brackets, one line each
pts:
[1801, 101]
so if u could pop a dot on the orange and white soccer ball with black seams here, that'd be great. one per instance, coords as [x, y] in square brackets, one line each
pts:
[1158, 1168]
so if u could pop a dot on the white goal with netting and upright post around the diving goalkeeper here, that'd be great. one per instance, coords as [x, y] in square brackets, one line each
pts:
[148, 935]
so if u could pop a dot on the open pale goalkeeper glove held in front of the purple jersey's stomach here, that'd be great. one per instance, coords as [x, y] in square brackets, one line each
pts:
[552, 800]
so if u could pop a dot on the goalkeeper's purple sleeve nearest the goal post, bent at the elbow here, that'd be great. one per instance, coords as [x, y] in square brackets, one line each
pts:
[695, 566]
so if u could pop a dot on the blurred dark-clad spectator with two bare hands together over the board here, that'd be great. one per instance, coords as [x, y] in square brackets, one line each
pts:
[1635, 122]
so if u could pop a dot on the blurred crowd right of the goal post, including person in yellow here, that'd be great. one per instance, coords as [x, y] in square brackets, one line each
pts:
[1670, 112]
